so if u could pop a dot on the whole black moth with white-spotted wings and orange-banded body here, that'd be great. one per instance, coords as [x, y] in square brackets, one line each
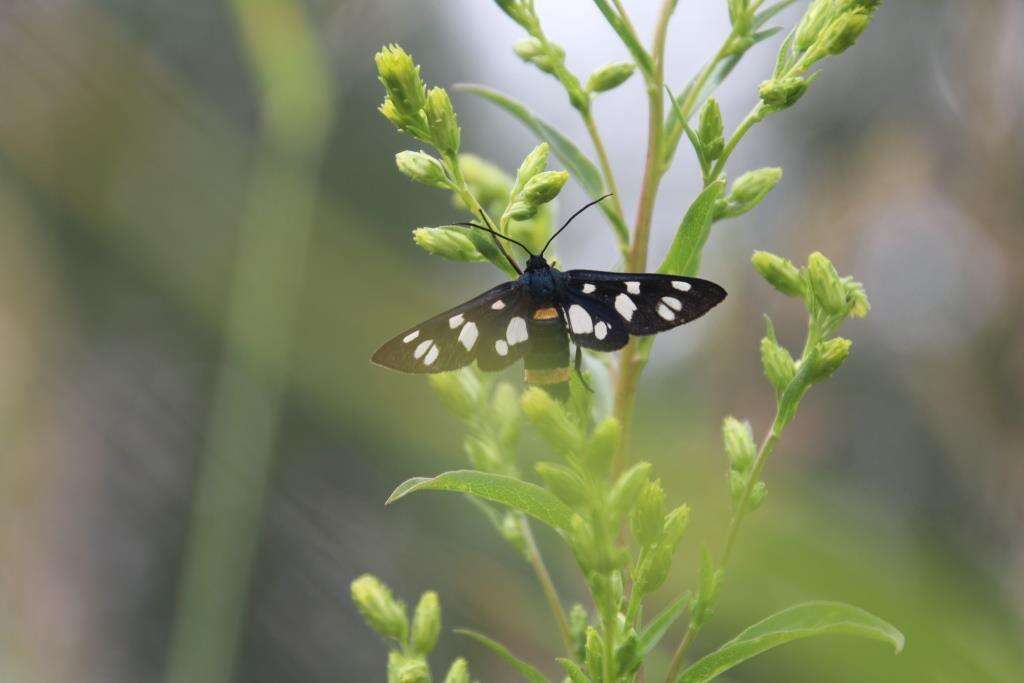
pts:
[535, 317]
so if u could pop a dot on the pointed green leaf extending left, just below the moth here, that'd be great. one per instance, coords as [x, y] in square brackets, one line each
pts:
[523, 496]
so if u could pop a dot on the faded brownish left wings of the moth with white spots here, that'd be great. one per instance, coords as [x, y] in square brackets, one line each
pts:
[461, 335]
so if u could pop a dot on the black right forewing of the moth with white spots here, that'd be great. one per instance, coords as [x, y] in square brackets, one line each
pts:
[647, 304]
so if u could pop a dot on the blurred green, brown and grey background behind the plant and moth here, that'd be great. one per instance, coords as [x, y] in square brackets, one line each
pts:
[203, 238]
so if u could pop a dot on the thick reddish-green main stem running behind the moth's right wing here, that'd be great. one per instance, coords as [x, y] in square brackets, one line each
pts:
[636, 262]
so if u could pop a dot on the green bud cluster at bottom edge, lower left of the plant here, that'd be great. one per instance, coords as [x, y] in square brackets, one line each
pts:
[388, 617]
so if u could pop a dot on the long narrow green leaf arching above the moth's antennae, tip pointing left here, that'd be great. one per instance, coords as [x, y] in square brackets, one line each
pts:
[582, 168]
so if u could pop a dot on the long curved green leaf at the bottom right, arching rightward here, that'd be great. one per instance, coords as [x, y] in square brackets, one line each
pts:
[809, 619]
